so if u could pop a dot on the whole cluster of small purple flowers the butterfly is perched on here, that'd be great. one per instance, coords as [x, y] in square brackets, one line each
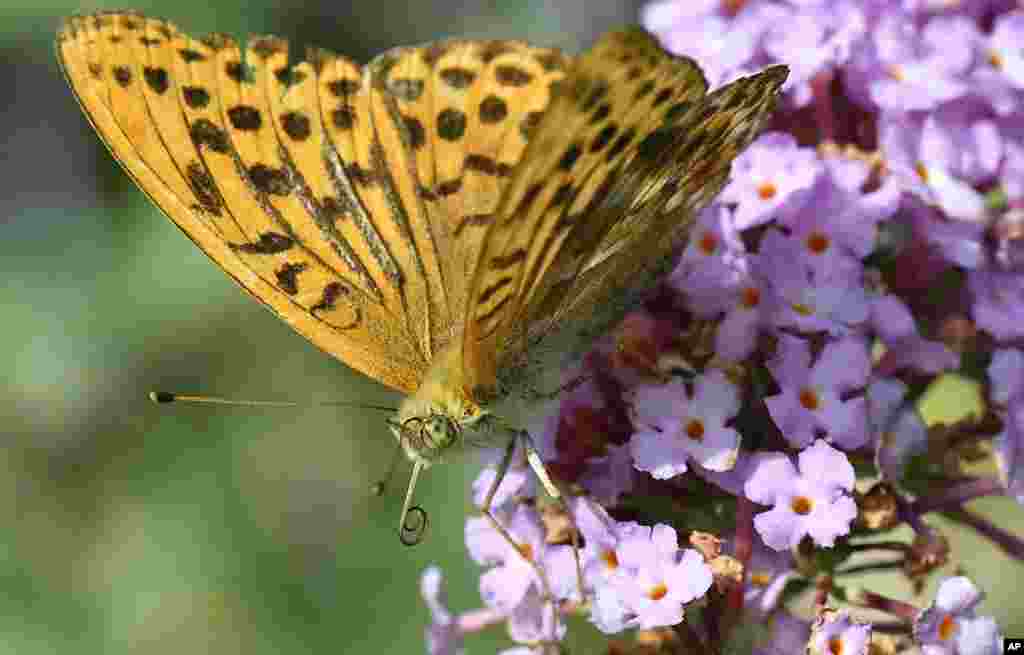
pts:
[746, 428]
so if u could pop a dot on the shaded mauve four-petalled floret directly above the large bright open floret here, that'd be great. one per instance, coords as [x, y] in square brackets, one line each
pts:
[812, 400]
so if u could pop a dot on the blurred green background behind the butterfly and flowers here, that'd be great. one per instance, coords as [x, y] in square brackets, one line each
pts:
[135, 529]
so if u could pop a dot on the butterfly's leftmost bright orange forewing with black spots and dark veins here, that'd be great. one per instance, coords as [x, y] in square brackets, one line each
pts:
[192, 121]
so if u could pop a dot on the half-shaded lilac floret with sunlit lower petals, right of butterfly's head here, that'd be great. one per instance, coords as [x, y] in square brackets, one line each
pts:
[673, 428]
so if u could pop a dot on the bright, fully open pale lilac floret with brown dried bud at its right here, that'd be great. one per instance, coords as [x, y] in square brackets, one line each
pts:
[816, 502]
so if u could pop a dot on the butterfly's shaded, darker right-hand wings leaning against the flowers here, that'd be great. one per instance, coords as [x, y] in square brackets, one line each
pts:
[625, 156]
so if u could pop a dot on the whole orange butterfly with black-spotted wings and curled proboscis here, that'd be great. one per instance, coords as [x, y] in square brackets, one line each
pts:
[449, 220]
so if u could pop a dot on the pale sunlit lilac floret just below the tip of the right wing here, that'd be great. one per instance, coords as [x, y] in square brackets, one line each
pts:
[765, 176]
